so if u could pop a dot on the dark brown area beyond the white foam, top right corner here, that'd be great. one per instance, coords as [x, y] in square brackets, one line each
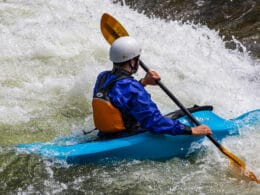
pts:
[232, 18]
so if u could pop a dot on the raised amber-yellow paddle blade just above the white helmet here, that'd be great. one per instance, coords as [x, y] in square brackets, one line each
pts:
[111, 28]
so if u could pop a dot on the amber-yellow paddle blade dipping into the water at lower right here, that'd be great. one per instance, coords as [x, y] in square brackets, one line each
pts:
[238, 165]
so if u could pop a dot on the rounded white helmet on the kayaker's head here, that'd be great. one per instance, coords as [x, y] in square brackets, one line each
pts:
[124, 49]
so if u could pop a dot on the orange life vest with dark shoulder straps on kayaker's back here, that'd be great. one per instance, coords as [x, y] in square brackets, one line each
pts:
[107, 118]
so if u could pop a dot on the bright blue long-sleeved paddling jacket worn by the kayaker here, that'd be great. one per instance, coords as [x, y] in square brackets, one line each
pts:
[130, 97]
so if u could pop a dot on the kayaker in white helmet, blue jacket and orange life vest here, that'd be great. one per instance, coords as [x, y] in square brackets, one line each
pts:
[121, 105]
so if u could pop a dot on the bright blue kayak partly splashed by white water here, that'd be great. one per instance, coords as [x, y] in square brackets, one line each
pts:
[141, 146]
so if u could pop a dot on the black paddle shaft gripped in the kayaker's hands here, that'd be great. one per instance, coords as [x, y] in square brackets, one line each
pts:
[179, 104]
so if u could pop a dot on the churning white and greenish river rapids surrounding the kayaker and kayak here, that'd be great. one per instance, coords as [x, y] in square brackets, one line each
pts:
[50, 54]
